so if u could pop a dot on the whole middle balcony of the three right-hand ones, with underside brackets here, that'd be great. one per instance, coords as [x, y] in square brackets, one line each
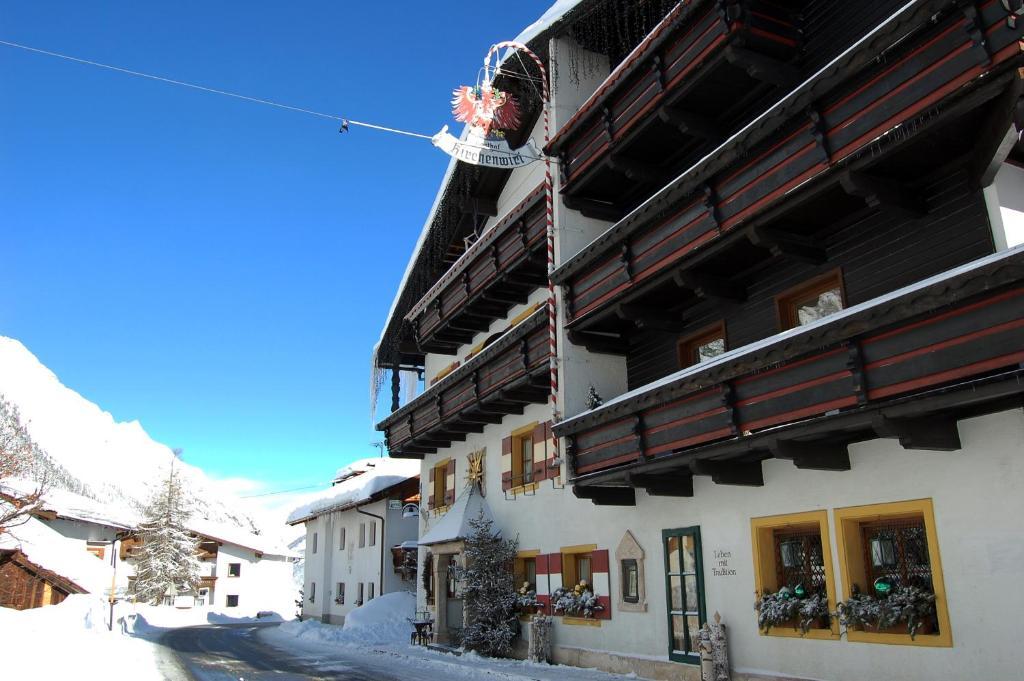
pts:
[829, 150]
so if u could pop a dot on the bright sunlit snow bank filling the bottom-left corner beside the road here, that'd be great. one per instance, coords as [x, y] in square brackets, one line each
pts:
[64, 642]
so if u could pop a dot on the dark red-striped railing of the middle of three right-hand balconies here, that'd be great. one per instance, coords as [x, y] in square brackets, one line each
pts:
[812, 138]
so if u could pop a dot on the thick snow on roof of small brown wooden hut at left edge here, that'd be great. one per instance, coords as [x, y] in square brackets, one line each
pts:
[49, 549]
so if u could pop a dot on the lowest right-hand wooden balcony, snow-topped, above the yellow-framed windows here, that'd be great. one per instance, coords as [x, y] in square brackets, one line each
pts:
[904, 366]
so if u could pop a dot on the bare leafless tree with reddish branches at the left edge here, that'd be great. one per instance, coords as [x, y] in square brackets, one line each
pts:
[24, 480]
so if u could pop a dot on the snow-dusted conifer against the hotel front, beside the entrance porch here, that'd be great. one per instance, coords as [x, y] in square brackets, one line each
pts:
[489, 590]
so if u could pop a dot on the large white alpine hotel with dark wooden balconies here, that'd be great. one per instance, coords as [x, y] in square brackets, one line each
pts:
[788, 247]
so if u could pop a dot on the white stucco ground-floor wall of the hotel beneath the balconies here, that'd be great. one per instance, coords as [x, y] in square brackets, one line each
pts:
[978, 507]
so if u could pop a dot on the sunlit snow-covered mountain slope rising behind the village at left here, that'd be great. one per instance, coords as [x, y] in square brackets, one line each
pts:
[111, 461]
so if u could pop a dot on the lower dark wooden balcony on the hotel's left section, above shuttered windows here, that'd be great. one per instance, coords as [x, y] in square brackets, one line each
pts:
[502, 379]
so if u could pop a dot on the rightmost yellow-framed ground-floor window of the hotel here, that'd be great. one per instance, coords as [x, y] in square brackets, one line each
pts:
[895, 543]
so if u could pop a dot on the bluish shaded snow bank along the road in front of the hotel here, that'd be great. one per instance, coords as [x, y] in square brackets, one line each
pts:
[380, 632]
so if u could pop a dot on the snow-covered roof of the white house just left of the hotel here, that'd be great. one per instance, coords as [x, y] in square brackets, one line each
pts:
[379, 476]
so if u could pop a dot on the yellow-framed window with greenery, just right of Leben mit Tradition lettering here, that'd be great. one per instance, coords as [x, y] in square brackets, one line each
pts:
[795, 549]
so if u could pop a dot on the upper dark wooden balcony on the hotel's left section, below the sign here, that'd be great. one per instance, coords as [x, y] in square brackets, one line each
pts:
[499, 271]
